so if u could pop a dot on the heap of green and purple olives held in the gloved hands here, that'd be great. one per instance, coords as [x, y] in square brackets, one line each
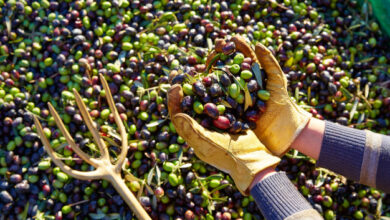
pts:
[230, 96]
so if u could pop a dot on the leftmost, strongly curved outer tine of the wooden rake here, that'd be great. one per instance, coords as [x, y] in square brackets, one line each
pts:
[96, 174]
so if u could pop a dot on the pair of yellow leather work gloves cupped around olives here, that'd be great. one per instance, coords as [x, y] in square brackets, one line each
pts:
[245, 155]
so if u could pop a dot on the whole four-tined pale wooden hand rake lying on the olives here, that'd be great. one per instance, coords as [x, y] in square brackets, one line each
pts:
[104, 168]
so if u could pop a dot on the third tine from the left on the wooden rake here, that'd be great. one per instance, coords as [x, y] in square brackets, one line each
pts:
[88, 120]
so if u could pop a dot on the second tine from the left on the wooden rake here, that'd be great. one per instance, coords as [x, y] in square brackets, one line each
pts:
[69, 138]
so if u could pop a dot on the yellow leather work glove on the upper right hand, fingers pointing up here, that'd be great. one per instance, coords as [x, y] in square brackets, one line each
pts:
[283, 120]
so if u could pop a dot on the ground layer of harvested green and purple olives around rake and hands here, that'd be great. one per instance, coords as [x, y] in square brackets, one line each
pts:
[335, 57]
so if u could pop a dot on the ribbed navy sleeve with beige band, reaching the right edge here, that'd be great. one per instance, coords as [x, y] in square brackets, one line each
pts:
[362, 156]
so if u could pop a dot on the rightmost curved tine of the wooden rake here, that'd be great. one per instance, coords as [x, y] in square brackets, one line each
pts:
[121, 127]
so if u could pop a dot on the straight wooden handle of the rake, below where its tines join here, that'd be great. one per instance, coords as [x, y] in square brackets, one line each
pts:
[128, 196]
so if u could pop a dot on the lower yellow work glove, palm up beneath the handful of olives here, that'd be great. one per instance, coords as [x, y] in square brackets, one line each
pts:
[241, 156]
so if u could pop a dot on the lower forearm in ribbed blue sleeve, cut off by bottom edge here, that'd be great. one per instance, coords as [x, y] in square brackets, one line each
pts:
[277, 197]
